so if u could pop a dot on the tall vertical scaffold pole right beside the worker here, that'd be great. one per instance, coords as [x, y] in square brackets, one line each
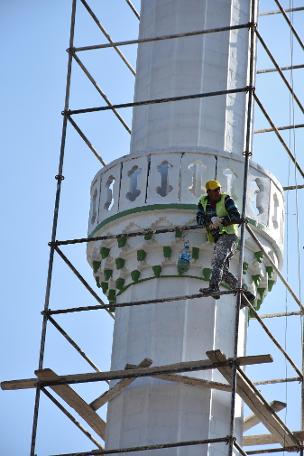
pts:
[247, 153]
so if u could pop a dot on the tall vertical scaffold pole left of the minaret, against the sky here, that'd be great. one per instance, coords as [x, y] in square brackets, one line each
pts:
[59, 177]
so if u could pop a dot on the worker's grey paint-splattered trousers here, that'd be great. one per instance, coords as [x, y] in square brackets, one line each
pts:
[224, 250]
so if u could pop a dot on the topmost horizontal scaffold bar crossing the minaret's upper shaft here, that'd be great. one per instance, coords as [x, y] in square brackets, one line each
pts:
[172, 36]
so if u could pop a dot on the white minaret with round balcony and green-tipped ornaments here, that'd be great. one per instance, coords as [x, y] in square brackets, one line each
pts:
[175, 148]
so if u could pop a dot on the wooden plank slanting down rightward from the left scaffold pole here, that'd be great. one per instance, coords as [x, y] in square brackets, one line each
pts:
[76, 402]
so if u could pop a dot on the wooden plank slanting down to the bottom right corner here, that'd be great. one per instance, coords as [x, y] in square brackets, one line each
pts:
[255, 401]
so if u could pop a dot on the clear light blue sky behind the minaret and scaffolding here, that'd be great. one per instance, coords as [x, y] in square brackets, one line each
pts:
[34, 37]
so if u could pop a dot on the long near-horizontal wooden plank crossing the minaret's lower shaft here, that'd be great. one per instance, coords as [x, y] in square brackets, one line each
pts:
[187, 366]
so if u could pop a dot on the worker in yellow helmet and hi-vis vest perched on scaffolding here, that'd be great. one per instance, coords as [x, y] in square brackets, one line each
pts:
[218, 213]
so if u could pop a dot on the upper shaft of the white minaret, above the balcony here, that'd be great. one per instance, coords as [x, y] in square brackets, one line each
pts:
[192, 65]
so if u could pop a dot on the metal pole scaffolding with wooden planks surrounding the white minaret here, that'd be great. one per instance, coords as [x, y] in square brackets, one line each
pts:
[237, 381]
